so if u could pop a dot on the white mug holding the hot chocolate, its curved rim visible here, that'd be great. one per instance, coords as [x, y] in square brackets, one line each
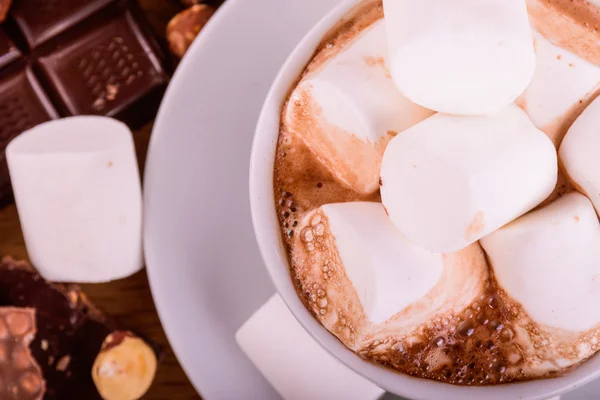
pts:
[268, 235]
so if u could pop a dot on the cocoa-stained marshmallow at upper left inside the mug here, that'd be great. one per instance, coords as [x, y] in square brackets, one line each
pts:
[348, 109]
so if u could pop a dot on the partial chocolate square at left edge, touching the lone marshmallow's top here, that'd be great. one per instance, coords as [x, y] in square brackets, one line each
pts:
[23, 105]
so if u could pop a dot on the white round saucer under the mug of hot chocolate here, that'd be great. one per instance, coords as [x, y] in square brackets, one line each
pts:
[205, 270]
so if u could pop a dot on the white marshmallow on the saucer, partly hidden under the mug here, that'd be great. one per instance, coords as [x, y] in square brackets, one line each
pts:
[294, 363]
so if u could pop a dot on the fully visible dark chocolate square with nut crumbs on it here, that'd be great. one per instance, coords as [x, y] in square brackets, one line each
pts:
[105, 70]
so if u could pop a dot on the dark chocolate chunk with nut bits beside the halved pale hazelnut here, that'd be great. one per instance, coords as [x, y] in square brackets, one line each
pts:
[71, 330]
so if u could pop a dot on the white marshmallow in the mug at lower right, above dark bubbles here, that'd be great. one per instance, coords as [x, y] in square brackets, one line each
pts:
[549, 262]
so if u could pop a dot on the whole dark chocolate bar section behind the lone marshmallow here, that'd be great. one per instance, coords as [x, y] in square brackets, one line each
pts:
[61, 58]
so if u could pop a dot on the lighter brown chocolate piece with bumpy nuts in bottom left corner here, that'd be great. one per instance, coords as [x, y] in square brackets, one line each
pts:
[20, 375]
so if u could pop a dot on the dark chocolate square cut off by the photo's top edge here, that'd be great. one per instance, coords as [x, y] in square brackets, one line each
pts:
[41, 20]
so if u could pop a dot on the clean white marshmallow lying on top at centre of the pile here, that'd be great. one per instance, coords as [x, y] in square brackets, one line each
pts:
[451, 180]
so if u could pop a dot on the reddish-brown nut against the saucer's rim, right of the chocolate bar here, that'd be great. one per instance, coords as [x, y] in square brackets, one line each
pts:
[185, 26]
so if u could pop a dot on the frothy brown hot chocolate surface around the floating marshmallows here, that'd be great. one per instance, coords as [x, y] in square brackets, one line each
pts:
[490, 340]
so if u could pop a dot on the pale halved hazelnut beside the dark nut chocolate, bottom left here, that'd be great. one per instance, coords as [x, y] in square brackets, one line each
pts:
[125, 367]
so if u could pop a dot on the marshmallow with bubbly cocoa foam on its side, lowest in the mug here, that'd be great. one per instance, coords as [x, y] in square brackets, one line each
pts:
[362, 278]
